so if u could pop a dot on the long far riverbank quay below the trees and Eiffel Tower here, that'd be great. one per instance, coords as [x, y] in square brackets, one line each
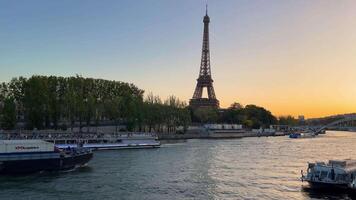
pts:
[197, 133]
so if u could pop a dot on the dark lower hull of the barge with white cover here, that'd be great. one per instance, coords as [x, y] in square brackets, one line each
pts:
[48, 164]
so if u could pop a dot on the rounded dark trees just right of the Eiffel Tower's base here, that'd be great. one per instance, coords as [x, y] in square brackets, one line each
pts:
[250, 116]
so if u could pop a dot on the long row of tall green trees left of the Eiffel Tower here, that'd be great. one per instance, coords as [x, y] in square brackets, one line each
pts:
[58, 102]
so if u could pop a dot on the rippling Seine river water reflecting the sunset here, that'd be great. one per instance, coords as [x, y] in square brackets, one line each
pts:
[248, 168]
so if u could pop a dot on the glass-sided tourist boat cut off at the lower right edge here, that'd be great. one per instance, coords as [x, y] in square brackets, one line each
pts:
[334, 174]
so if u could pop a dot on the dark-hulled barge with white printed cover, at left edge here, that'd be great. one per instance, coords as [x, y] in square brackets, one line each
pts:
[28, 156]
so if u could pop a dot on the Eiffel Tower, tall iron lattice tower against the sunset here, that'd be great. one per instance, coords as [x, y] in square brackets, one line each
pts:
[204, 80]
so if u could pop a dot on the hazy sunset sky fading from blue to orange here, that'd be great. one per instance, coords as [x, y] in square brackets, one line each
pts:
[291, 56]
